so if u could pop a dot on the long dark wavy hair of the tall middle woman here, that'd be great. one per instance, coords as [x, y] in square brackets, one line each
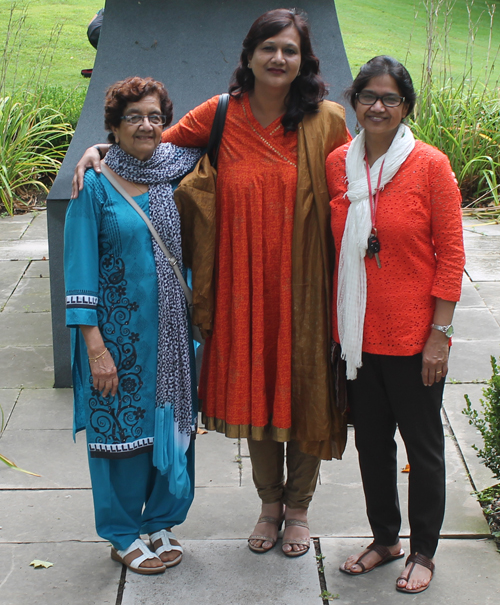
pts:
[308, 89]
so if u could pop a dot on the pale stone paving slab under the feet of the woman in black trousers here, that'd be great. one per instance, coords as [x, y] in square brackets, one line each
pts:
[467, 573]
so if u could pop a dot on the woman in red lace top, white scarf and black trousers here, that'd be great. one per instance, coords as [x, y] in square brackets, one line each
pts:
[396, 221]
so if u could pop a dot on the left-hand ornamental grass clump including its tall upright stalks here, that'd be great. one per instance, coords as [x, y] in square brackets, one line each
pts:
[34, 135]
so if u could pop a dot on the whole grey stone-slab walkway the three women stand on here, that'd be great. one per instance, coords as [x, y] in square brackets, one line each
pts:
[51, 517]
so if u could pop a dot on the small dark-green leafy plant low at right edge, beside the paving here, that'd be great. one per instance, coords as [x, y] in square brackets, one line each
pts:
[488, 424]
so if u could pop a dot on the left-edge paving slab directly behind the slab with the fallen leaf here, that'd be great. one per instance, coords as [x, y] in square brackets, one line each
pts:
[47, 516]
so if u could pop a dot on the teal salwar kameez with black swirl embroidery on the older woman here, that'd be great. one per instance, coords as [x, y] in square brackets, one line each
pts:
[142, 479]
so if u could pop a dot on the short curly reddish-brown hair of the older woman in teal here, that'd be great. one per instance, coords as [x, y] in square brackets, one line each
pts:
[131, 90]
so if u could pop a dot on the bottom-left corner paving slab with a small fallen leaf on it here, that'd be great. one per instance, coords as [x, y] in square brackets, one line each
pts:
[83, 574]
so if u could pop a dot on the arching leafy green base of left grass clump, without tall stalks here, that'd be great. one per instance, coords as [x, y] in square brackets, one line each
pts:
[30, 149]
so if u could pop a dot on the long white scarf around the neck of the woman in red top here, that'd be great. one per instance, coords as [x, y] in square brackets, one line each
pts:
[351, 289]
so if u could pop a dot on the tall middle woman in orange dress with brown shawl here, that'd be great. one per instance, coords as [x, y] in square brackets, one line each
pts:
[265, 373]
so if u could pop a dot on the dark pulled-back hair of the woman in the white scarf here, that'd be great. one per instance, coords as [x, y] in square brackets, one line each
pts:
[379, 66]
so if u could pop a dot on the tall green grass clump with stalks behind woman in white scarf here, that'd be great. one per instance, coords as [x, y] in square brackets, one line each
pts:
[461, 116]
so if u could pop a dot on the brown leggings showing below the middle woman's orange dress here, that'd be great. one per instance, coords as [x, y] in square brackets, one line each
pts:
[268, 458]
